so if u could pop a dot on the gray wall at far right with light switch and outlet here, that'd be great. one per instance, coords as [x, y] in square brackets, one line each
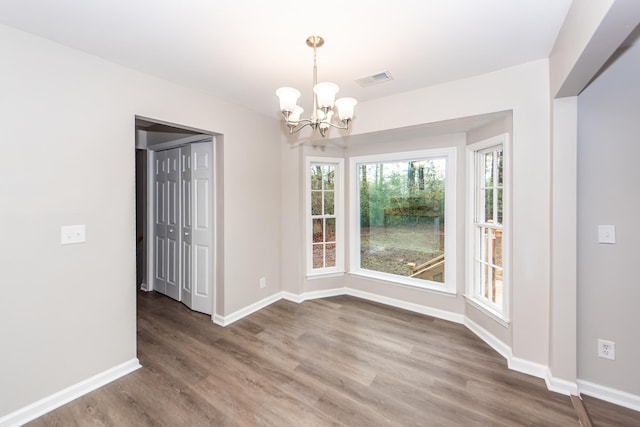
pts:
[609, 193]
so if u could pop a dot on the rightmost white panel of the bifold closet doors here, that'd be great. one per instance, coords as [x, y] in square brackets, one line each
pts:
[202, 226]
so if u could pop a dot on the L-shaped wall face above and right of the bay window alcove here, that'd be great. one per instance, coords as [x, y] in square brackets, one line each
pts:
[524, 90]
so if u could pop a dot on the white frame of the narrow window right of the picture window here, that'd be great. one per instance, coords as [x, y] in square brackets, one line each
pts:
[473, 292]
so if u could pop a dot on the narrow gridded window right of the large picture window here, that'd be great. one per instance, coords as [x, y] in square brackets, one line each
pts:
[487, 240]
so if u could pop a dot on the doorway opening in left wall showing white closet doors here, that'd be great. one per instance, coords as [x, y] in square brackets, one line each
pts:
[175, 205]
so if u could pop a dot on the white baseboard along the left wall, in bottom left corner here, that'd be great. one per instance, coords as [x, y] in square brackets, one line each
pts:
[49, 403]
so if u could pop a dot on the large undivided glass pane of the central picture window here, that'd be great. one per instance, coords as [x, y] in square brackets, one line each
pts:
[402, 218]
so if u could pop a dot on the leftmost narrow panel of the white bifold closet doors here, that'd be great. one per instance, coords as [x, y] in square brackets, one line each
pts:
[160, 222]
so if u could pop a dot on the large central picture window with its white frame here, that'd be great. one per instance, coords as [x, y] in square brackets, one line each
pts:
[403, 218]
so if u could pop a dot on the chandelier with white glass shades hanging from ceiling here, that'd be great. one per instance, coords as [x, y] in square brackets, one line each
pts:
[324, 100]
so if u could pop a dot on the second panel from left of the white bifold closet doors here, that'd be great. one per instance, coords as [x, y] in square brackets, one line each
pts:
[173, 224]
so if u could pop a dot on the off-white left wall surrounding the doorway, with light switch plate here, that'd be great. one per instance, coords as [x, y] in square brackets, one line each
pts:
[68, 312]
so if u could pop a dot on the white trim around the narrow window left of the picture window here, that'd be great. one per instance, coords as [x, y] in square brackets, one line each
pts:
[339, 214]
